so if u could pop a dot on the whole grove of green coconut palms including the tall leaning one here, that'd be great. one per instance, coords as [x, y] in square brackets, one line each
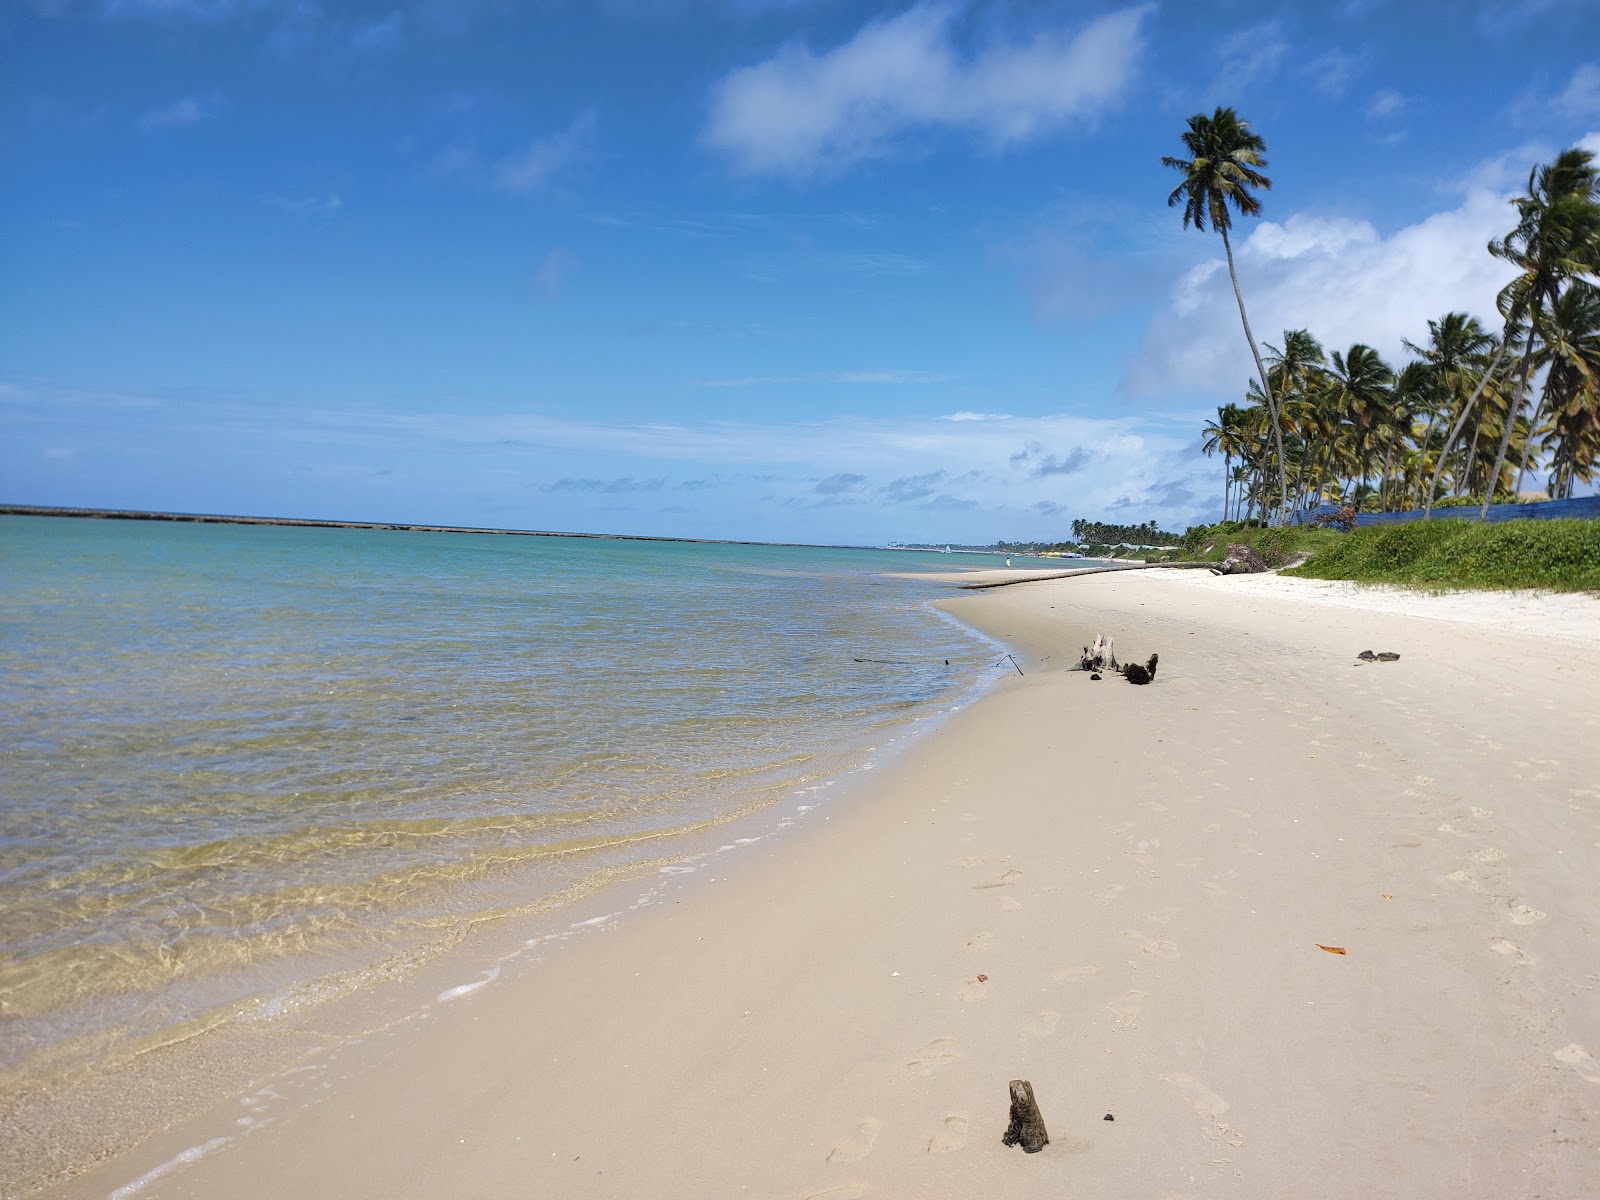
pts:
[1473, 410]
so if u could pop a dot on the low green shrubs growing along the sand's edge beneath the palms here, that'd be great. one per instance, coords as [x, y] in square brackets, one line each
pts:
[1559, 556]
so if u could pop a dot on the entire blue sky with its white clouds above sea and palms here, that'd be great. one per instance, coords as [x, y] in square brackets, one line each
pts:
[774, 270]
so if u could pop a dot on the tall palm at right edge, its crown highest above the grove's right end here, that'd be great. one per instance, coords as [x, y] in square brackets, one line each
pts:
[1558, 239]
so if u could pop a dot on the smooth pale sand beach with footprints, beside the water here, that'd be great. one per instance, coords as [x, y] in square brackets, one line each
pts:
[1113, 892]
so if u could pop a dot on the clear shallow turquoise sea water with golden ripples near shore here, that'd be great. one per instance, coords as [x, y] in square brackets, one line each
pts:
[241, 756]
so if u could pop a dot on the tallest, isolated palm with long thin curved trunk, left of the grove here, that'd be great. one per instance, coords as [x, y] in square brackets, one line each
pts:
[1223, 167]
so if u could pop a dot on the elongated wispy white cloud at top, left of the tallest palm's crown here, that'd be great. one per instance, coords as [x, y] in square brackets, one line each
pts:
[802, 114]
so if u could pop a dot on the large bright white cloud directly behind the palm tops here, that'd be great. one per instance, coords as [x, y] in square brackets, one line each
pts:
[1338, 278]
